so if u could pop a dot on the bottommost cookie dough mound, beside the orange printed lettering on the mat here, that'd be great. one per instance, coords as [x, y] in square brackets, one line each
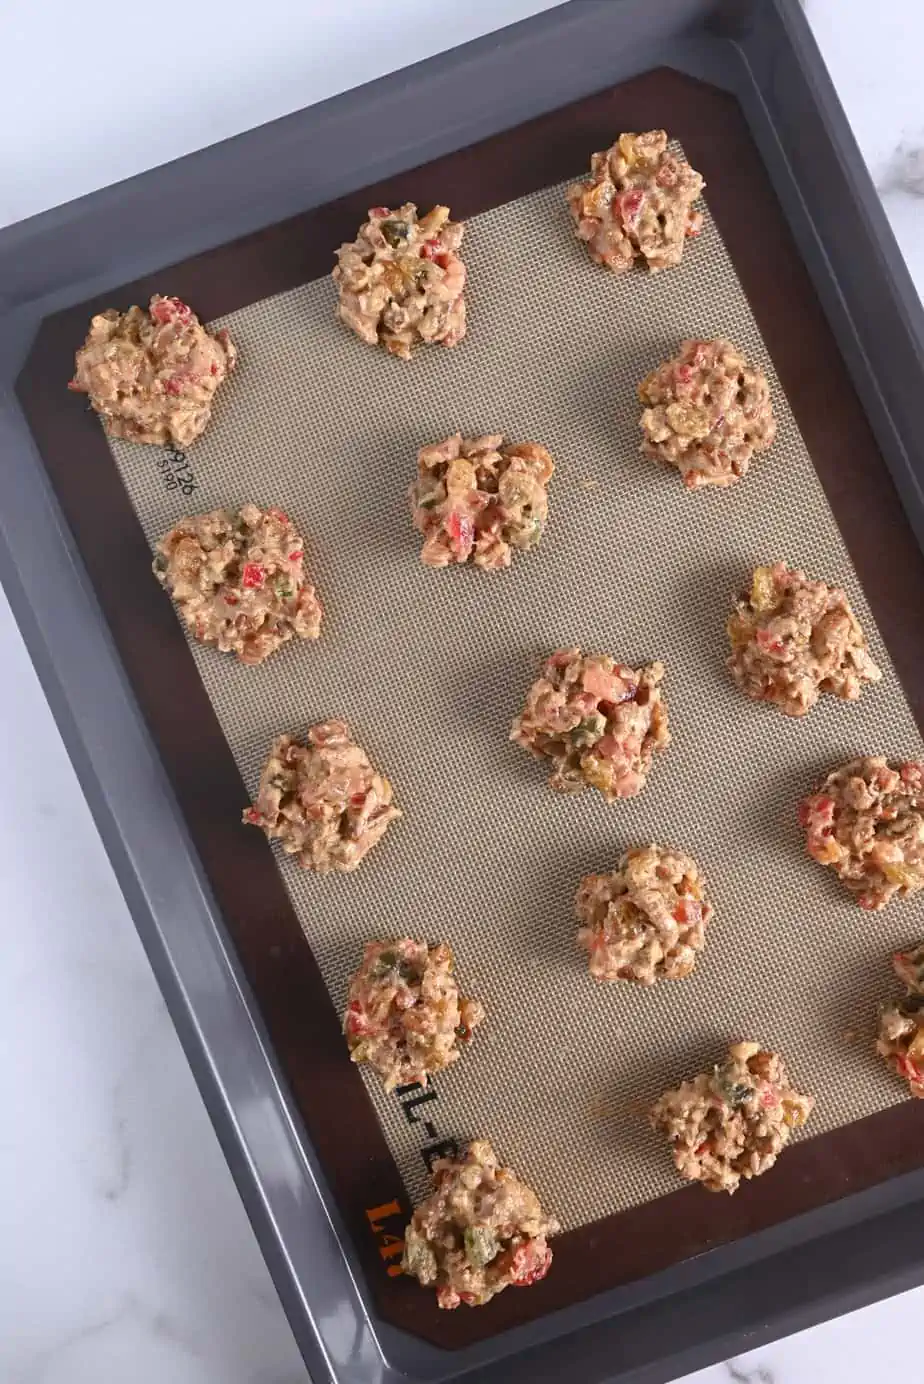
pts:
[479, 1232]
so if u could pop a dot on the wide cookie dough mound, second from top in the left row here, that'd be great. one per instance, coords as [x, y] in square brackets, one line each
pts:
[239, 581]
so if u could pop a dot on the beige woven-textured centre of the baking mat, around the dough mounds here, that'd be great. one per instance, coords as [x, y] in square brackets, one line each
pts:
[429, 668]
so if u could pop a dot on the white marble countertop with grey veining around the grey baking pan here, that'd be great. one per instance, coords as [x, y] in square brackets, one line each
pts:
[128, 1256]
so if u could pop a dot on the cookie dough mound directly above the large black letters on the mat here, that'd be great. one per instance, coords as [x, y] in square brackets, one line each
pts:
[405, 1015]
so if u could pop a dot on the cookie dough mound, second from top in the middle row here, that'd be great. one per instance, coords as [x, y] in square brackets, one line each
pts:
[479, 499]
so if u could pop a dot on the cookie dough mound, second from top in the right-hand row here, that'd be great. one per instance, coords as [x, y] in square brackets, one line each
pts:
[706, 412]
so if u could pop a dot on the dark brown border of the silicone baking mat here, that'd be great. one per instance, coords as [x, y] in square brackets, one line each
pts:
[248, 886]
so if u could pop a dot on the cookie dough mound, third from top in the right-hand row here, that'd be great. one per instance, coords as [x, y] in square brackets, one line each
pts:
[793, 639]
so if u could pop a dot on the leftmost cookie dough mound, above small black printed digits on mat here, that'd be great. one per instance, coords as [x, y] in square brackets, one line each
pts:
[151, 376]
